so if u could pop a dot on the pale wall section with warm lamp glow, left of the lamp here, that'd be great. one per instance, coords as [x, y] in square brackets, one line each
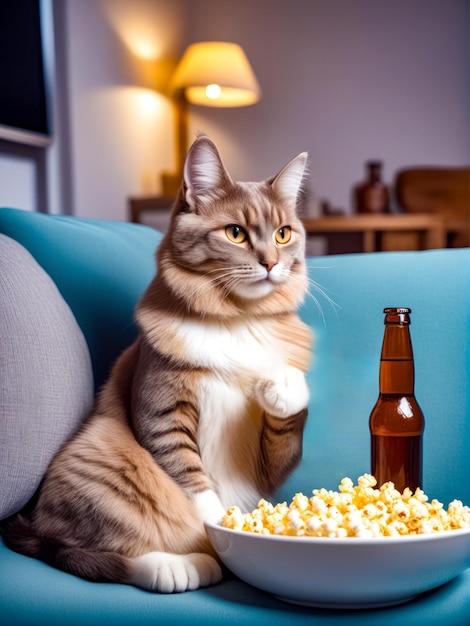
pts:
[120, 53]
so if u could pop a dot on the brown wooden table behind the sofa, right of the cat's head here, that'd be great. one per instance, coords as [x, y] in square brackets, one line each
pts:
[382, 232]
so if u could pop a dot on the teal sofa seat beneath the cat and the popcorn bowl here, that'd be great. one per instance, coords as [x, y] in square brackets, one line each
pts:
[34, 594]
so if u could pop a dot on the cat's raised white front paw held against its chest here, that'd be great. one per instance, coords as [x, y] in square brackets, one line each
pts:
[285, 395]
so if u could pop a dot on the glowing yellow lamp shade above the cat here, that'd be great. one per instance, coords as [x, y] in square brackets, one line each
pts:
[218, 74]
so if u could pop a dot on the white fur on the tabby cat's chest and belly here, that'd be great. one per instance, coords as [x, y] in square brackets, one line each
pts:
[237, 357]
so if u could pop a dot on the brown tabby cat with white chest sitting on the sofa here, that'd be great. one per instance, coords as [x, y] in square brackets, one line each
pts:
[205, 410]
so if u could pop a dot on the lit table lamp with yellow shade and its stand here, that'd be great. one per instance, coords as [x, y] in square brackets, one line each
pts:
[211, 73]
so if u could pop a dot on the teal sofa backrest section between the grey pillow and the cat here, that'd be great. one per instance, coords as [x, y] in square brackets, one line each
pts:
[101, 268]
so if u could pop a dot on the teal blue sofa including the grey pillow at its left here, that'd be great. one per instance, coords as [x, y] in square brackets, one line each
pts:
[98, 271]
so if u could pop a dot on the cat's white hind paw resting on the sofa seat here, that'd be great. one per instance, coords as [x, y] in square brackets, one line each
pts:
[174, 573]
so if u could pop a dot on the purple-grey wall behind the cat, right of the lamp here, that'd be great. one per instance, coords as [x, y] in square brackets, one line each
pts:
[347, 80]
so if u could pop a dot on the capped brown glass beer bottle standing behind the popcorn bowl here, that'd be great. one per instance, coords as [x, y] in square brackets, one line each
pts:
[397, 422]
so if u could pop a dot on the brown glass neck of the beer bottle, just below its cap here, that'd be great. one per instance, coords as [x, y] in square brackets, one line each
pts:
[396, 361]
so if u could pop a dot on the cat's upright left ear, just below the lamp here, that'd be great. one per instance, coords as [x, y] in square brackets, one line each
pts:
[204, 172]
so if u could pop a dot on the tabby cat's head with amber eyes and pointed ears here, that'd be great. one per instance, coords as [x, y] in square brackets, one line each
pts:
[235, 247]
